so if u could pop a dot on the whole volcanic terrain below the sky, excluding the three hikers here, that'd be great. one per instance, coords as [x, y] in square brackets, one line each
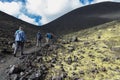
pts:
[88, 48]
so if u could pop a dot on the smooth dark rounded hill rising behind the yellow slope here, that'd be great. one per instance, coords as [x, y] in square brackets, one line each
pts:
[84, 17]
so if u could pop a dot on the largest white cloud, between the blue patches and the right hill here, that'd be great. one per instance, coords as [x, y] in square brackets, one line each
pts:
[51, 9]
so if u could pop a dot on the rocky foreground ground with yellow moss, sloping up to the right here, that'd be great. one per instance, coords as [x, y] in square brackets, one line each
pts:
[90, 54]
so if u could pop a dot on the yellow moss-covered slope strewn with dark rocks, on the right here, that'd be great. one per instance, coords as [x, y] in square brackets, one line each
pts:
[89, 54]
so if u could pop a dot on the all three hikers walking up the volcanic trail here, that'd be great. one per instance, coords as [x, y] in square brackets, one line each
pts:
[20, 39]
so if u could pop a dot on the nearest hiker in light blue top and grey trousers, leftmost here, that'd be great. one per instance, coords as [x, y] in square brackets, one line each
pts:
[20, 38]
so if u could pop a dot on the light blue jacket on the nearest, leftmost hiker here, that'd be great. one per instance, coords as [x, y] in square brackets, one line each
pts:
[20, 36]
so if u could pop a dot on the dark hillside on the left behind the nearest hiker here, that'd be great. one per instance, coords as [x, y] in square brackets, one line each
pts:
[8, 26]
